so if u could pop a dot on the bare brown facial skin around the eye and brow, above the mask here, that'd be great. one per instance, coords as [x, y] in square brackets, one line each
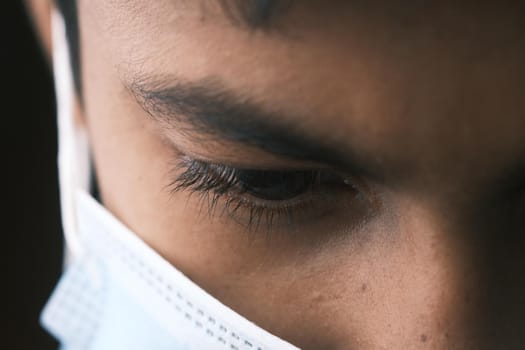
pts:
[430, 259]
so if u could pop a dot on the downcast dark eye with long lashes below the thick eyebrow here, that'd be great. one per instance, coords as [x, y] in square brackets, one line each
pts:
[255, 196]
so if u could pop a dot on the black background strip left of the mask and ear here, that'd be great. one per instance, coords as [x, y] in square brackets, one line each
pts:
[31, 244]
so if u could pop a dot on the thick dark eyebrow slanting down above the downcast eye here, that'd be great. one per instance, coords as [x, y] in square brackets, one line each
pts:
[209, 109]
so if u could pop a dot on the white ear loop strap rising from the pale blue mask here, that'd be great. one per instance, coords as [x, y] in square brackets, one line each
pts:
[73, 149]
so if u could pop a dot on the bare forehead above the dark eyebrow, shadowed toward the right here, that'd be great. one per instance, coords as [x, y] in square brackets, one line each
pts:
[415, 87]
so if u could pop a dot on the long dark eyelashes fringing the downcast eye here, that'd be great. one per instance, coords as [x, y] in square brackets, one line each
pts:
[218, 182]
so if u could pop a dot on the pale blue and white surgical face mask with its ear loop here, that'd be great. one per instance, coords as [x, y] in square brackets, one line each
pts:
[117, 293]
